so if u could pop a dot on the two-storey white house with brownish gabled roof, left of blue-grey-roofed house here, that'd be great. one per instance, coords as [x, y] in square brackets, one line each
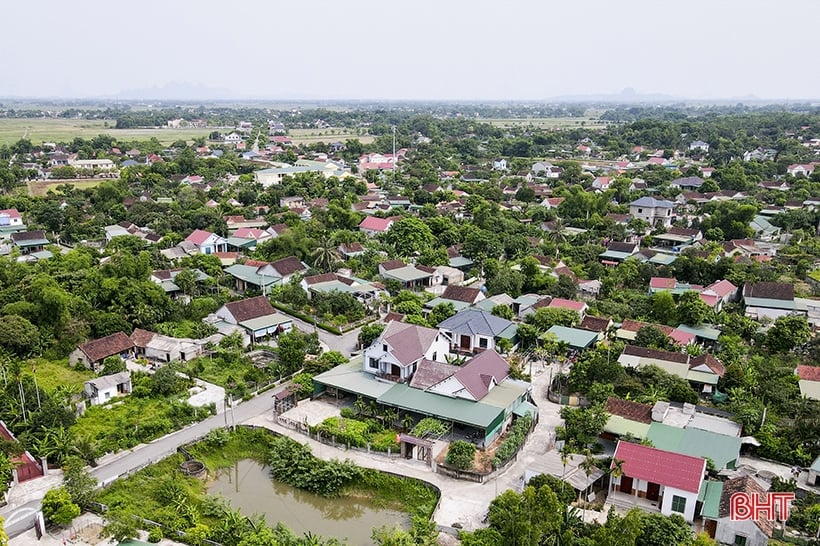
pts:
[399, 350]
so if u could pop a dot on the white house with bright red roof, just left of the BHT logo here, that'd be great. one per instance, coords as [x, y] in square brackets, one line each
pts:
[655, 479]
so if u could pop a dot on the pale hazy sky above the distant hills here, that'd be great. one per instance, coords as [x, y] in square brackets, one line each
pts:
[415, 49]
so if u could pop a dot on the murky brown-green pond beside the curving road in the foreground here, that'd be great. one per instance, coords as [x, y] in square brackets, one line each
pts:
[250, 489]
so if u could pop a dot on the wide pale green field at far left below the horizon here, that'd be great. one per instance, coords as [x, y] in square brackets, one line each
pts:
[41, 130]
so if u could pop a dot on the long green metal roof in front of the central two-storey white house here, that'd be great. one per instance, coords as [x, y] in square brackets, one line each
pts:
[474, 414]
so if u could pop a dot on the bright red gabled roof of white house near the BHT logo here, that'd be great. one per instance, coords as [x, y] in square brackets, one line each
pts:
[661, 467]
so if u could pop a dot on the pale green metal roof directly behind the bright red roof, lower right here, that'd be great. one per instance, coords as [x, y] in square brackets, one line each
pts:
[722, 449]
